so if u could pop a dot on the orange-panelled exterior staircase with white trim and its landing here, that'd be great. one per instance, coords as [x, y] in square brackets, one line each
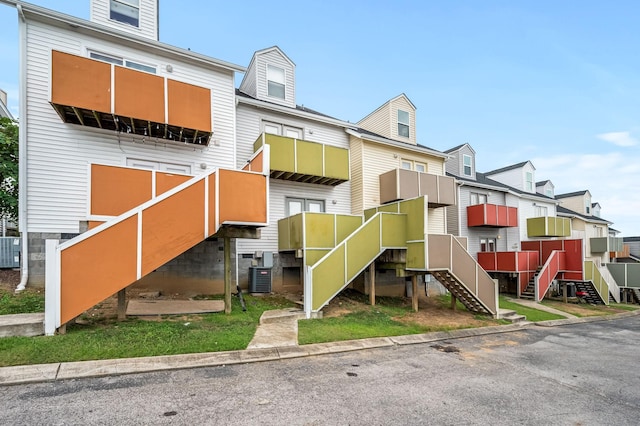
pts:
[85, 270]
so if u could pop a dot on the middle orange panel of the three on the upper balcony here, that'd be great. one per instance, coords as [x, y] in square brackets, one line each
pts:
[139, 95]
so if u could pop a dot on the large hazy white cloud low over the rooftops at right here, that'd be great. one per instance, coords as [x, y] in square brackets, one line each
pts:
[613, 179]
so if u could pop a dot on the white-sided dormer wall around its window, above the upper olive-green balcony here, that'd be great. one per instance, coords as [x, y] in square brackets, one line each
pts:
[274, 57]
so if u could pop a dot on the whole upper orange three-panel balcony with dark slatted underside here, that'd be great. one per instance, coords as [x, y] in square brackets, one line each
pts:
[97, 94]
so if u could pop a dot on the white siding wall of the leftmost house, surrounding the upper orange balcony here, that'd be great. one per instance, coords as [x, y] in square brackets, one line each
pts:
[59, 153]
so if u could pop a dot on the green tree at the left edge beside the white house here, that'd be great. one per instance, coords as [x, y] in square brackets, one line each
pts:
[8, 168]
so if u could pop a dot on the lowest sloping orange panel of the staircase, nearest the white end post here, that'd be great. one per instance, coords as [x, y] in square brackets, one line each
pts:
[98, 267]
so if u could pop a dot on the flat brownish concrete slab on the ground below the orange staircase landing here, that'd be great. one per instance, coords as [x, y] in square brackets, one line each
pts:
[173, 307]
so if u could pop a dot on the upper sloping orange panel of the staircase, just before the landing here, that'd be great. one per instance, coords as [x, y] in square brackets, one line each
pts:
[172, 226]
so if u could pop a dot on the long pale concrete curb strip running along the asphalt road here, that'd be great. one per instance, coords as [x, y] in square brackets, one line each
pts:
[86, 369]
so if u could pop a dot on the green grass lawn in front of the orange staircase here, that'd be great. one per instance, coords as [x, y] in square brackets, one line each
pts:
[106, 338]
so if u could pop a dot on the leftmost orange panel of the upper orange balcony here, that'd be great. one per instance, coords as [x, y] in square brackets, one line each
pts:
[80, 82]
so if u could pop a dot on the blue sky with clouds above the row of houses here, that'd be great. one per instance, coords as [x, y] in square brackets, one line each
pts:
[554, 82]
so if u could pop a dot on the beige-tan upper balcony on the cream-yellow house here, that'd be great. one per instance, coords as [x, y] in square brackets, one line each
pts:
[401, 184]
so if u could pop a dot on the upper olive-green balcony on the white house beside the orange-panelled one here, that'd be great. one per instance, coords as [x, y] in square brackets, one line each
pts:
[304, 161]
